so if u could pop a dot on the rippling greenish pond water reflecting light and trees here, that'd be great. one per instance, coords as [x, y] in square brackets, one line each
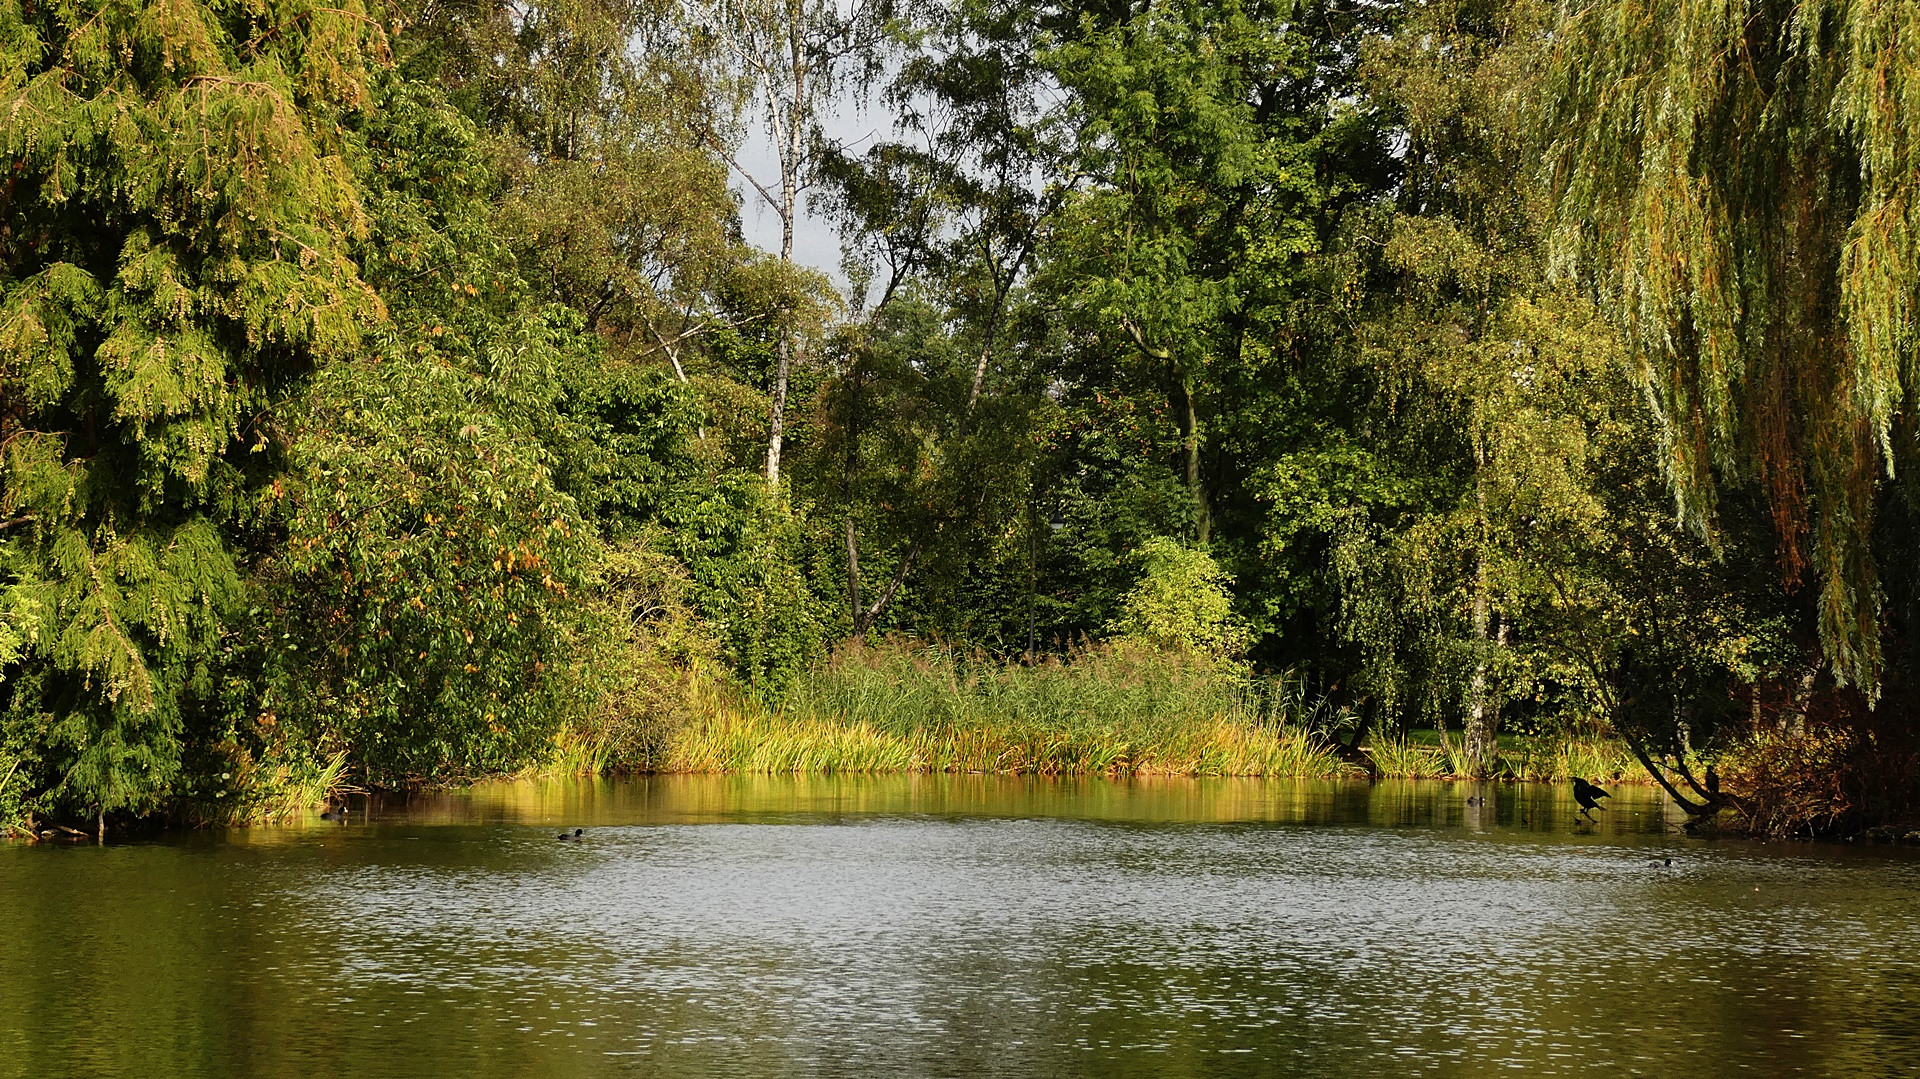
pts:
[963, 926]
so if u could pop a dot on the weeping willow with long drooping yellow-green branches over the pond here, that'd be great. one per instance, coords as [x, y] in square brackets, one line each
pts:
[1740, 185]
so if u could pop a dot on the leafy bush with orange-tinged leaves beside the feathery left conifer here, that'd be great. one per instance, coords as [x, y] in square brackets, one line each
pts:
[427, 567]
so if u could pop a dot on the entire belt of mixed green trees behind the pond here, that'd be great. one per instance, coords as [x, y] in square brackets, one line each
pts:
[389, 393]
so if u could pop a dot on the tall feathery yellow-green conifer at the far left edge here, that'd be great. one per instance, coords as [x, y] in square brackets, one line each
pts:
[176, 252]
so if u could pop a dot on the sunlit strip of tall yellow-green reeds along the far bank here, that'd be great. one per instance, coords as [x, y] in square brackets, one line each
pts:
[1116, 711]
